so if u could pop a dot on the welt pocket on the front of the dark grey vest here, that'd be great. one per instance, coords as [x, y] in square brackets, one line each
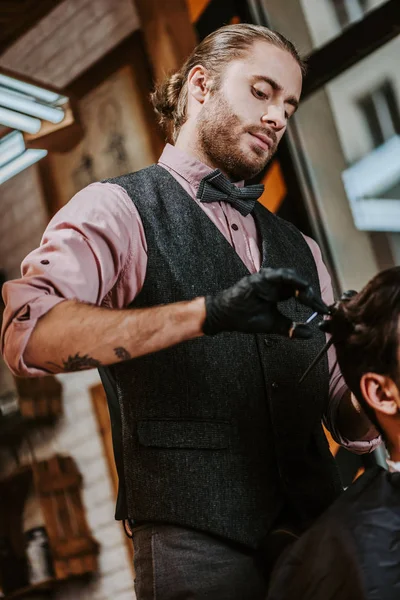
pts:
[167, 433]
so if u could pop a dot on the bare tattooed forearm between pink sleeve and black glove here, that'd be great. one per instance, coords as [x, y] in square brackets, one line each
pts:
[98, 336]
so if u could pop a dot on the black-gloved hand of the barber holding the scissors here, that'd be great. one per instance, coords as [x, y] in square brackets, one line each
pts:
[250, 306]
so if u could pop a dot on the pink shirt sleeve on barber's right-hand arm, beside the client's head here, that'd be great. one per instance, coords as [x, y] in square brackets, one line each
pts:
[337, 385]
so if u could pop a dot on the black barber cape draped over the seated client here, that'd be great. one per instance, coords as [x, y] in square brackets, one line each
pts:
[352, 552]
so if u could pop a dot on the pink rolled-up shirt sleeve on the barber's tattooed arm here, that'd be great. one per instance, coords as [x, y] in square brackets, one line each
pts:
[93, 250]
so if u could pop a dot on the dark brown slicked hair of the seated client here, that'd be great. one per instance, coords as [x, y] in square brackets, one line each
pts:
[365, 332]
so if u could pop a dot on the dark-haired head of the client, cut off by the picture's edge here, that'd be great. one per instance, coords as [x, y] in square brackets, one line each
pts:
[365, 331]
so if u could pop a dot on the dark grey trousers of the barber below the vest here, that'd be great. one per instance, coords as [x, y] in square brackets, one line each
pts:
[177, 563]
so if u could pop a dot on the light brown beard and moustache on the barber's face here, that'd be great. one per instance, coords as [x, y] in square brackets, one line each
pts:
[220, 131]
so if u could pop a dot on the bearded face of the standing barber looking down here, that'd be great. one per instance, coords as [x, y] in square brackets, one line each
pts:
[242, 122]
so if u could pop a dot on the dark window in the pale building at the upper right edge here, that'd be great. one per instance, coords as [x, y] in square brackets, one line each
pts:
[381, 112]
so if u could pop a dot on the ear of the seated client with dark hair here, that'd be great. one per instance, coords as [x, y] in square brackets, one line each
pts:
[380, 392]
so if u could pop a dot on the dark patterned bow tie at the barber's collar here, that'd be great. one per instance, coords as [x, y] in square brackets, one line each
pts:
[216, 187]
